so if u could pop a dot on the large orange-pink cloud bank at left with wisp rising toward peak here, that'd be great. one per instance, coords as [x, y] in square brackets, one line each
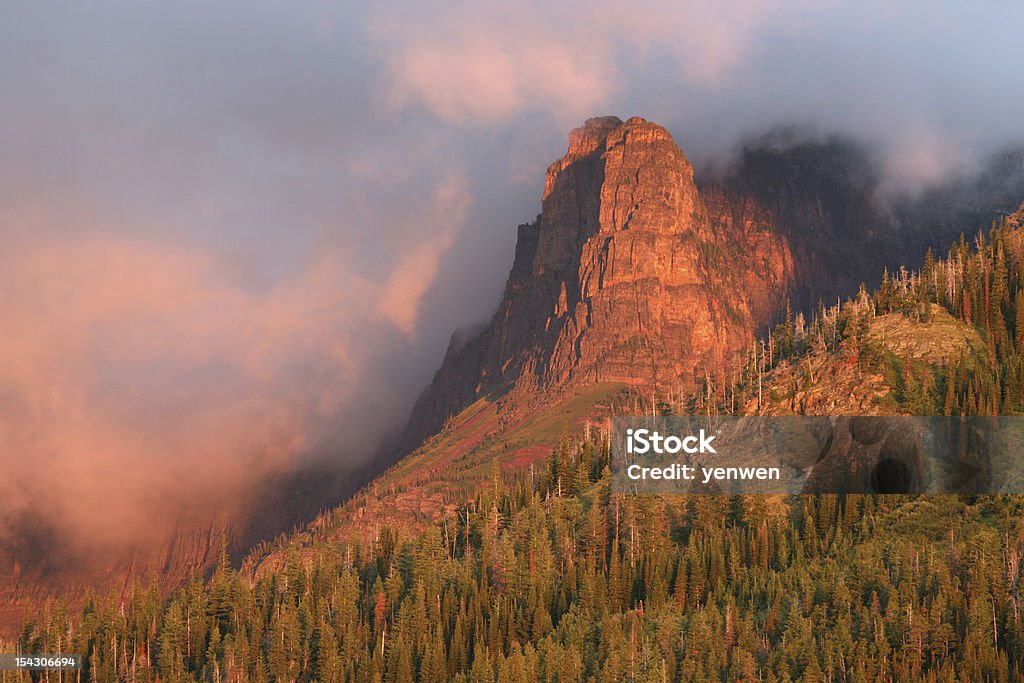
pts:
[140, 379]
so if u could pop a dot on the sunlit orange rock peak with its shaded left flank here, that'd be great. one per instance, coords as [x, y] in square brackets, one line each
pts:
[628, 276]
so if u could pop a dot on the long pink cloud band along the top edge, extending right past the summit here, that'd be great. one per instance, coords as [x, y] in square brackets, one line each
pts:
[486, 63]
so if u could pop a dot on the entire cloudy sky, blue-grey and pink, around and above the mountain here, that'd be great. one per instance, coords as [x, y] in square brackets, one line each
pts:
[237, 236]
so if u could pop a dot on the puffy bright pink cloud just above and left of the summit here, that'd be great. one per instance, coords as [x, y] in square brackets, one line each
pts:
[485, 63]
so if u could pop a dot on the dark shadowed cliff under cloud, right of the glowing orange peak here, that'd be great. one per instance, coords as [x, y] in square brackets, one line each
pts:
[826, 195]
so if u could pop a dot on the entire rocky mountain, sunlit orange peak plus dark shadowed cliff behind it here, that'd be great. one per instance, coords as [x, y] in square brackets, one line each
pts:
[636, 274]
